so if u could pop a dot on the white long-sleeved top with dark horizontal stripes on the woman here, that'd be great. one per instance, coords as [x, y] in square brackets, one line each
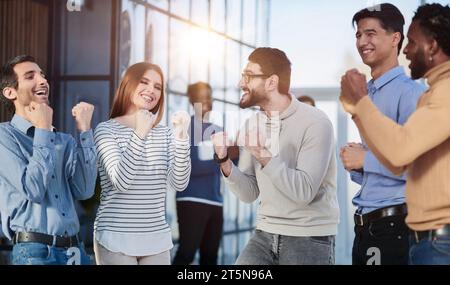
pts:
[135, 174]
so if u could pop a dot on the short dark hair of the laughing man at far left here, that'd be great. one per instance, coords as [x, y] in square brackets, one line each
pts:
[9, 78]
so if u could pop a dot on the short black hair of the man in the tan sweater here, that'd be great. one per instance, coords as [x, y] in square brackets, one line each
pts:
[434, 19]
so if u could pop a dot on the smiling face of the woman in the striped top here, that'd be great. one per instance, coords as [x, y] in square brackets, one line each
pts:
[148, 92]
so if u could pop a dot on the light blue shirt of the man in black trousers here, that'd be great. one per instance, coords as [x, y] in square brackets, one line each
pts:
[395, 95]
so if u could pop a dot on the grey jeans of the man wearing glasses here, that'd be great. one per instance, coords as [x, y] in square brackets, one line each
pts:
[272, 249]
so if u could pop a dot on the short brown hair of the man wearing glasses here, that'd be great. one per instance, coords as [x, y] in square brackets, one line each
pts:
[274, 61]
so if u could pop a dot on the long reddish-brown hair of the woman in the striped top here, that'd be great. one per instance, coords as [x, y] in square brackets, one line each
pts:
[128, 85]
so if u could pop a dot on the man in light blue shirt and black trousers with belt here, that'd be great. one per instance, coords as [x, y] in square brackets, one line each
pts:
[381, 235]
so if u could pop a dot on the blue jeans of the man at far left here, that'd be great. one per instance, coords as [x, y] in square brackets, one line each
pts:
[41, 254]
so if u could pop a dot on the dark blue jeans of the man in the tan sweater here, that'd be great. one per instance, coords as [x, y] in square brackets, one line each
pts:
[429, 251]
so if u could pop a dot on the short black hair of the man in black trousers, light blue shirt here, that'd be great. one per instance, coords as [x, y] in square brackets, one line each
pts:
[389, 16]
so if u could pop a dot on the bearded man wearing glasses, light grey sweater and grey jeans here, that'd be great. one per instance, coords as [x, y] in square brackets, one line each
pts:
[295, 182]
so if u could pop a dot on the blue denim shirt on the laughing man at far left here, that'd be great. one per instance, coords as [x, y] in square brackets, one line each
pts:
[41, 174]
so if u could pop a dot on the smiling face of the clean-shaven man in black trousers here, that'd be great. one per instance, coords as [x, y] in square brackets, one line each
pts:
[375, 44]
